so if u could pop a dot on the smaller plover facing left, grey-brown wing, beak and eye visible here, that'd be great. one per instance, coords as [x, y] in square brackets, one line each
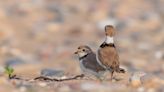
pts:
[88, 62]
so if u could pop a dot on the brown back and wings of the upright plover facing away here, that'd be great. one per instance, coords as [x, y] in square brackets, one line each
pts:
[108, 57]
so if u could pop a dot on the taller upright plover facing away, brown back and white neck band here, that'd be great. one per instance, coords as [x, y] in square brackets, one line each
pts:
[107, 55]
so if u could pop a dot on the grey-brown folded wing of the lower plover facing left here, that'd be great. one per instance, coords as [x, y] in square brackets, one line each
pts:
[90, 62]
